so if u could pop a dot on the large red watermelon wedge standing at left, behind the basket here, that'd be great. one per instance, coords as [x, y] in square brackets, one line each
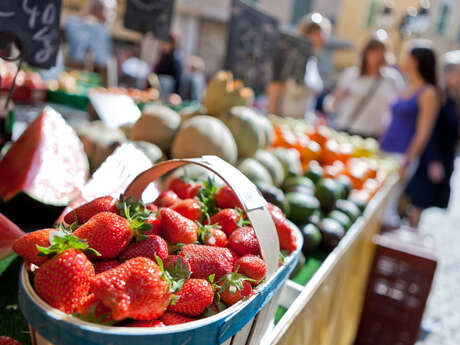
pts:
[42, 171]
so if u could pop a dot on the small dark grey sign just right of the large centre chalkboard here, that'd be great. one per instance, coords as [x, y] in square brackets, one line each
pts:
[292, 53]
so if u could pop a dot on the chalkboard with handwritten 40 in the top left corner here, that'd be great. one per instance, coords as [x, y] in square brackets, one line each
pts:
[35, 23]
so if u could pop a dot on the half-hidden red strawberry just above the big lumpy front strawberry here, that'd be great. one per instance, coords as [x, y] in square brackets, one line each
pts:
[153, 245]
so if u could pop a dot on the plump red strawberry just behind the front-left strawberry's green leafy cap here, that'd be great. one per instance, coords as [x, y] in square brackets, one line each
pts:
[106, 232]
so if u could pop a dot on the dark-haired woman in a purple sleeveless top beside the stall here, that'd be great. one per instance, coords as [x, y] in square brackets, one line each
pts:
[413, 117]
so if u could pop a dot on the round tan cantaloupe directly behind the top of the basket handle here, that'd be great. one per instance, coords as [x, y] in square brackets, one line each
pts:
[204, 135]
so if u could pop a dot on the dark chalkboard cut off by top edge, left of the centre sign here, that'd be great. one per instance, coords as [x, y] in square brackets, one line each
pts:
[149, 15]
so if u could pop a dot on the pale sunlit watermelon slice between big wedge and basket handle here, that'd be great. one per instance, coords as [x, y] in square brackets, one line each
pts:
[113, 176]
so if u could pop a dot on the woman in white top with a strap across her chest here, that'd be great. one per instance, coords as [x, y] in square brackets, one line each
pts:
[363, 96]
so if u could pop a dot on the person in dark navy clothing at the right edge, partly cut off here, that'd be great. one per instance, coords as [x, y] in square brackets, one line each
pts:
[430, 186]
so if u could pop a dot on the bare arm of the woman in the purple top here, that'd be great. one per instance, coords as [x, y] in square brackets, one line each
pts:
[428, 113]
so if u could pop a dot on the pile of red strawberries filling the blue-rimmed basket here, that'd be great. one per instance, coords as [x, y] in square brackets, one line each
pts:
[189, 254]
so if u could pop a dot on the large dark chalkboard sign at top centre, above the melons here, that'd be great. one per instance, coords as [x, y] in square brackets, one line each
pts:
[251, 45]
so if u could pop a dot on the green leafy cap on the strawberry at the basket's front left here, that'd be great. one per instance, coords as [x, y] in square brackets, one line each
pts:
[62, 240]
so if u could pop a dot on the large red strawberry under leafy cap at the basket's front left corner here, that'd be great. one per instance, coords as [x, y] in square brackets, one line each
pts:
[64, 280]
